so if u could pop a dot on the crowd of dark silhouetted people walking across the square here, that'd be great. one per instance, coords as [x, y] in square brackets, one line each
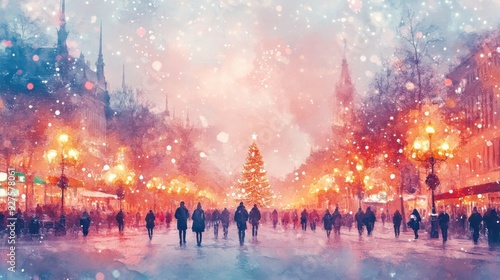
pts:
[34, 223]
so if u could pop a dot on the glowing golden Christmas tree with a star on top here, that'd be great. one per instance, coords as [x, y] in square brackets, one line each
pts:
[253, 184]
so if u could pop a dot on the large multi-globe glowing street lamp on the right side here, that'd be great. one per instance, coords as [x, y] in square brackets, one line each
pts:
[424, 151]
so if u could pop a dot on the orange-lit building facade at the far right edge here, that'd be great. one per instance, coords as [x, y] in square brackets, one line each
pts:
[475, 93]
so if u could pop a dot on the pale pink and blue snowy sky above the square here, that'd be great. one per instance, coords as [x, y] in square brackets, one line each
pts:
[239, 67]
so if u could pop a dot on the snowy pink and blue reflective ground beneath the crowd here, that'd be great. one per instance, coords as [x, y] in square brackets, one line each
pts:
[276, 254]
